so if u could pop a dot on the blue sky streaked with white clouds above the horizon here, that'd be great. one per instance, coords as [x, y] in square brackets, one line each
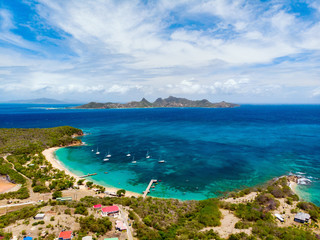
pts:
[102, 50]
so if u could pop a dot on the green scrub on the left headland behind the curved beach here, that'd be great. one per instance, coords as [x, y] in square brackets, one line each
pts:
[26, 159]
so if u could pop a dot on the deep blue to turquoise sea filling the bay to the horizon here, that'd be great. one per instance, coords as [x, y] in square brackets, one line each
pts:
[206, 151]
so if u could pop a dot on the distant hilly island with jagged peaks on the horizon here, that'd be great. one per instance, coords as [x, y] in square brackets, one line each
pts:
[170, 102]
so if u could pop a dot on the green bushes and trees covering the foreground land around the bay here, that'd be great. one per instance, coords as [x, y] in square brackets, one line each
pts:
[152, 218]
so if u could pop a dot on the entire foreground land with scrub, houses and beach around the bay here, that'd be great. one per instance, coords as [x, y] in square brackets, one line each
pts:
[78, 207]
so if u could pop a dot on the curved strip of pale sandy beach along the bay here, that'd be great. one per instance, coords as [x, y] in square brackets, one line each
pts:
[51, 157]
